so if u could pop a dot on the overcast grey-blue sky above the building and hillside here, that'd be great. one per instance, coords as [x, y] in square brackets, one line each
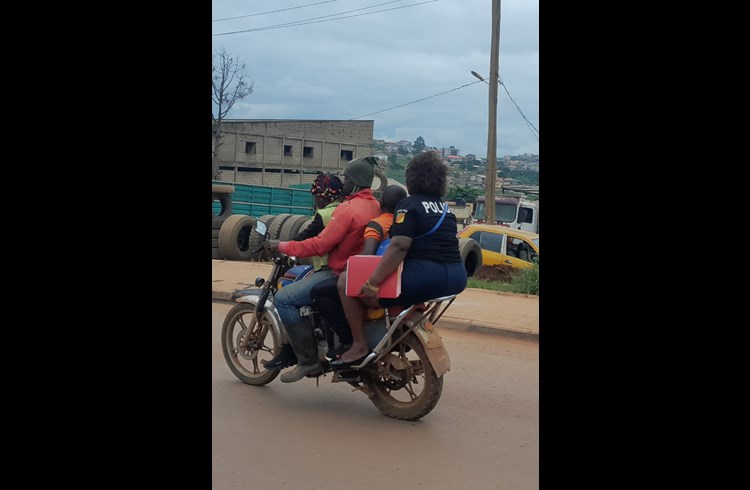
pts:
[365, 66]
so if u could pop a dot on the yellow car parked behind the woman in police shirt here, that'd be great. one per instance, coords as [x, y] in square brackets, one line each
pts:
[504, 246]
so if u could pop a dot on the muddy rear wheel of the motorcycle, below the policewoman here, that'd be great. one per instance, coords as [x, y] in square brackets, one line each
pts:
[417, 391]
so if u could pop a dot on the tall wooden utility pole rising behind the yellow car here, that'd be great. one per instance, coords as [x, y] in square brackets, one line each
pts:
[489, 200]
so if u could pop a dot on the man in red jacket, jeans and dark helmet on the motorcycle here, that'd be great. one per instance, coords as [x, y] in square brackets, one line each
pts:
[341, 238]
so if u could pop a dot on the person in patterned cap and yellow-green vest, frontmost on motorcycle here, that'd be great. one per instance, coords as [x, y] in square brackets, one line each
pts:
[327, 191]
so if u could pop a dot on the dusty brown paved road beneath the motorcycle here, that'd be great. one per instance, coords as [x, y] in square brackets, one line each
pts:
[483, 434]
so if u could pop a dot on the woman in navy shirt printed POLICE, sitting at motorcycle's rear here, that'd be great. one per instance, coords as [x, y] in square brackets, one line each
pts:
[424, 238]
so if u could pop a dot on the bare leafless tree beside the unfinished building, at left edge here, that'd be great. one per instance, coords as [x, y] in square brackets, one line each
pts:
[229, 83]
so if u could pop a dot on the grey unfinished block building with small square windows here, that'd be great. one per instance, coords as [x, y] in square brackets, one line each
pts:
[282, 152]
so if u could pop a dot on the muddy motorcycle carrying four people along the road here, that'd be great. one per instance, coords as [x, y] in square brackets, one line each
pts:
[402, 375]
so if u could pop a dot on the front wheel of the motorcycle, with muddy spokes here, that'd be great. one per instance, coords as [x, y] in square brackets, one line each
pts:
[246, 341]
